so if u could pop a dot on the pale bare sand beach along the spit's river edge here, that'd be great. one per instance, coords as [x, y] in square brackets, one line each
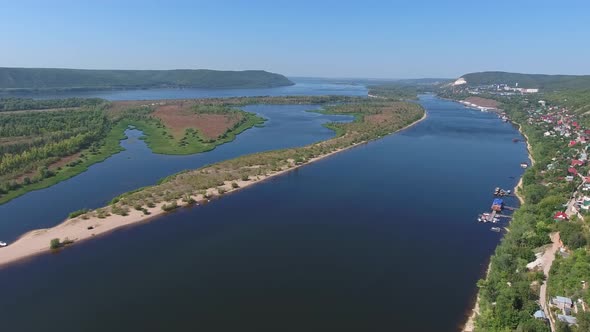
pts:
[79, 229]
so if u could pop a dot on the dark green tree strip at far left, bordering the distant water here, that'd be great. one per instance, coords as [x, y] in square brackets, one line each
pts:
[21, 104]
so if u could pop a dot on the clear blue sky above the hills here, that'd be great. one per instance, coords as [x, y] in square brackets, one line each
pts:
[381, 39]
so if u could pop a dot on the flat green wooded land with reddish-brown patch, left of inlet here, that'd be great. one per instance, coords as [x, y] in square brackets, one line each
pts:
[43, 142]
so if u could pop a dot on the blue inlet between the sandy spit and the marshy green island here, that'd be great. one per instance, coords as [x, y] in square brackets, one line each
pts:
[287, 126]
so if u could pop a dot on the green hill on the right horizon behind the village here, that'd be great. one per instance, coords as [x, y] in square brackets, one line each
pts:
[545, 82]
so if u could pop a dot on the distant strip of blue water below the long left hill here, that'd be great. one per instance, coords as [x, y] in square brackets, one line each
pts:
[302, 87]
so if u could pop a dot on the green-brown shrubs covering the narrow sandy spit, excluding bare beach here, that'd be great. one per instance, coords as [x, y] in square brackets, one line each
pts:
[375, 118]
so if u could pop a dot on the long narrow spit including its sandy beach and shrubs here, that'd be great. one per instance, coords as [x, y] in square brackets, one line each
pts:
[374, 118]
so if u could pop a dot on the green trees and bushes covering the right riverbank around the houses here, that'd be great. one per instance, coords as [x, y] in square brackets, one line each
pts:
[509, 295]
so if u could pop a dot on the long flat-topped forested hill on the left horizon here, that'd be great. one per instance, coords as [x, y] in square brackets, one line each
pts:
[66, 79]
